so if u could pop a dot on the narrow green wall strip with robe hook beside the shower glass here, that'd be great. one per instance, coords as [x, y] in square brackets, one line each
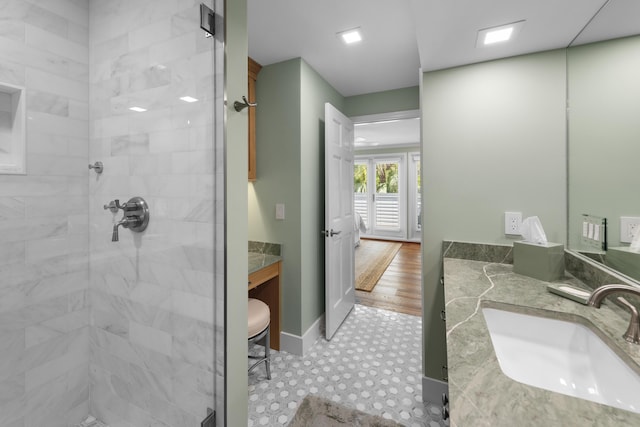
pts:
[236, 215]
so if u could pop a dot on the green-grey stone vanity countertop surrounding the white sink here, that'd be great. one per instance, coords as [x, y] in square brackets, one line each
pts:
[480, 394]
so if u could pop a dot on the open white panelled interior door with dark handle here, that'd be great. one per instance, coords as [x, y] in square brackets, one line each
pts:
[338, 219]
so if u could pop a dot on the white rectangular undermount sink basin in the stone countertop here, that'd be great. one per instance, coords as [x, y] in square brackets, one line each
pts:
[561, 356]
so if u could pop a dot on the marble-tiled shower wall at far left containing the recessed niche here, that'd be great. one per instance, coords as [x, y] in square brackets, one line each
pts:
[44, 311]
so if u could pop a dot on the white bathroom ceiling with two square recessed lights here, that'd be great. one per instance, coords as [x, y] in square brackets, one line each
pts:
[402, 36]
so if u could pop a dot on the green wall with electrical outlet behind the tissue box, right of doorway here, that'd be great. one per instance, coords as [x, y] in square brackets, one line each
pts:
[493, 140]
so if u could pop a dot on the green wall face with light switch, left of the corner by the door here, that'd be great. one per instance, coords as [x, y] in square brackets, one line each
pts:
[278, 130]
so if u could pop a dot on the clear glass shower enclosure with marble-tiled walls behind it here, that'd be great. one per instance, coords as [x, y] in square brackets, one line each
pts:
[105, 100]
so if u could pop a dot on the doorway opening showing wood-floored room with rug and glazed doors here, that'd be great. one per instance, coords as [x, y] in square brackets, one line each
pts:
[387, 206]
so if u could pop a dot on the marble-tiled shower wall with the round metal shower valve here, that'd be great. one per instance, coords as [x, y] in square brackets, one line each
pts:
[152, 298]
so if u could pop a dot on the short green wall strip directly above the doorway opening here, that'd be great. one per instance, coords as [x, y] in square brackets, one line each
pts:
[383, 102]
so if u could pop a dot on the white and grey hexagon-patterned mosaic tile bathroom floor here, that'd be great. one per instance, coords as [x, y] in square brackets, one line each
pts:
[373, 364]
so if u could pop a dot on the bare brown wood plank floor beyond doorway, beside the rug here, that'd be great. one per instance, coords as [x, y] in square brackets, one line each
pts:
[399, 289]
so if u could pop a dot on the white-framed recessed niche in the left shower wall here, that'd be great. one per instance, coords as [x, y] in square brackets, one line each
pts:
[12, 129]
